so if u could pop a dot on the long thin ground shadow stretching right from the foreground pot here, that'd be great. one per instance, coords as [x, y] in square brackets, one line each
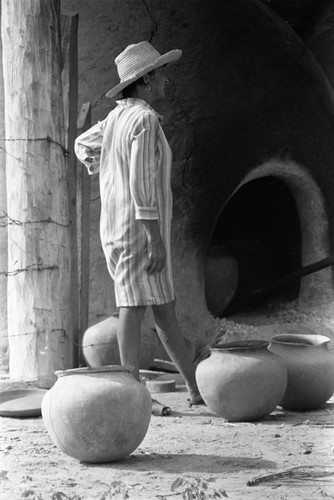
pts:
[187, 463]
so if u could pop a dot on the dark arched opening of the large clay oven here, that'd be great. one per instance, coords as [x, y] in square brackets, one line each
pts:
[258, 238]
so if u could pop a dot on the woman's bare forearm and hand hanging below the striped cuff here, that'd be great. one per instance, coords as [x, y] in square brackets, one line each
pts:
[156, 250]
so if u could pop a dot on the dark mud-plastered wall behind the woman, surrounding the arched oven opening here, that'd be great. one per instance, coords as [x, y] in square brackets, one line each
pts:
[245, 92]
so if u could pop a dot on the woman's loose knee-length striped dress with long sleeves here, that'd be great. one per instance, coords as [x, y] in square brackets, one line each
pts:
[132, 155]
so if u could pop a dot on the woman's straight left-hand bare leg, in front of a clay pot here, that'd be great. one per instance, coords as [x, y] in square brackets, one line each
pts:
[128, 336]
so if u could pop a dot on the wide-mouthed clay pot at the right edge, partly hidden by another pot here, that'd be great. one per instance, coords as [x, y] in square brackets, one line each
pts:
[310, 369]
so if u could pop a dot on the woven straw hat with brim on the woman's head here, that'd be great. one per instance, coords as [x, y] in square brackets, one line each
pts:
[137, 60]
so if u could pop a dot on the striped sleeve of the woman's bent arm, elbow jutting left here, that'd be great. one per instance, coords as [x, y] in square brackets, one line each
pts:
[87, 148]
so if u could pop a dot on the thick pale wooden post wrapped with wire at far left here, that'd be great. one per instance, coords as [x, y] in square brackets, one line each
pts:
[39, 263]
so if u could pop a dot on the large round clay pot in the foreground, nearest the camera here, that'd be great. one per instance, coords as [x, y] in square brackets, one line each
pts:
[97, 415]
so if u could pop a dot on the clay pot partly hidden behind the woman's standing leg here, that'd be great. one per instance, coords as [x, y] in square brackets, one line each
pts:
[100, 346]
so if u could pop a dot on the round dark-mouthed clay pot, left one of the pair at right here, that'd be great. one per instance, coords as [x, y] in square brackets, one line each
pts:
[242, 381]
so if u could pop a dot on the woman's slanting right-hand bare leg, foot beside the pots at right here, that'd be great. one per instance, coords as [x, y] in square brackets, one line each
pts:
[174, 343]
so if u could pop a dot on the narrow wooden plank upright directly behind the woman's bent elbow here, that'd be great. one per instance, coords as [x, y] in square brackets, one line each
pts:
[83, 224]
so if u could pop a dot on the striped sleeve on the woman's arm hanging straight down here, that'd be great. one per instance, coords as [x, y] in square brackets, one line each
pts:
[143, 168]
